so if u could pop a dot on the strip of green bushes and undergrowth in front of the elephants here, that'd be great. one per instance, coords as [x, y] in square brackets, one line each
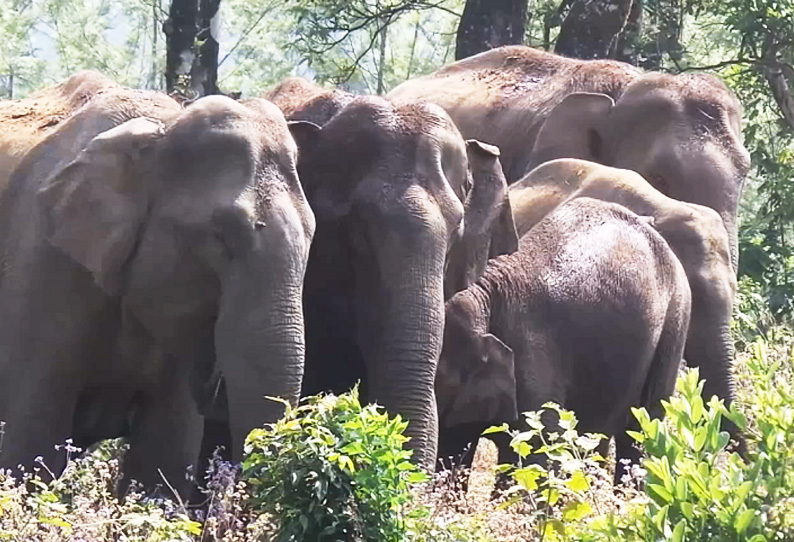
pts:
[333, 469]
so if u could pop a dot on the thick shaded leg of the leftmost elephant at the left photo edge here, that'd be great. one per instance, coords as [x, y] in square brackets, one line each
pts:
[50, 345]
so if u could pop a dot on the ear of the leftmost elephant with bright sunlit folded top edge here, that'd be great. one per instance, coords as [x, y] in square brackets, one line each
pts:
[94, 206]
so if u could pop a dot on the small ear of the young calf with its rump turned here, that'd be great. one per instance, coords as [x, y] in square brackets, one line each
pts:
[489, 393]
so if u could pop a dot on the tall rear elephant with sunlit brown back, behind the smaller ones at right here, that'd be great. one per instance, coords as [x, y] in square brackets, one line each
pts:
[680, 132]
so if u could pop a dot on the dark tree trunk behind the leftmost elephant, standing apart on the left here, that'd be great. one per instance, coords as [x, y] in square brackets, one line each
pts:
[191, 47]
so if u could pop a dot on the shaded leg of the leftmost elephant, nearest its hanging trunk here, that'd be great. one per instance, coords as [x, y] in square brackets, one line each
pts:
[165, 436]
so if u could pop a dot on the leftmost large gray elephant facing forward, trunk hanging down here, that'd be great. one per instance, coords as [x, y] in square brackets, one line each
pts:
[146, 248]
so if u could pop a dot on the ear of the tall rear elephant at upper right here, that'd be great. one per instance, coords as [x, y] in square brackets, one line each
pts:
[573, 129]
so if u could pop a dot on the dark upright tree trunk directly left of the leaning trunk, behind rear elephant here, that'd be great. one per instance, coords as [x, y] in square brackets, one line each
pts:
[486, 24]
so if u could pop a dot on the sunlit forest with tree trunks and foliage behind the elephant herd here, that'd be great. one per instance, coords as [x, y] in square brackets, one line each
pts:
[197, 47]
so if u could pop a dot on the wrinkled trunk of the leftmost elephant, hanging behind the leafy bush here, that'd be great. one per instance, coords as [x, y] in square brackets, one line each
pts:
[259, 341]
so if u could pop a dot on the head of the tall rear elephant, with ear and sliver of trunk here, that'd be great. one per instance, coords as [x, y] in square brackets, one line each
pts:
[682, 133]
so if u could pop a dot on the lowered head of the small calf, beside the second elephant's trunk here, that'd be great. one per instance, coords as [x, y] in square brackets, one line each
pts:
[476, 380]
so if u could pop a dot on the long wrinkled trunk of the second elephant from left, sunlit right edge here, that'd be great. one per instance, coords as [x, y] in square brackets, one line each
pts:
[402, 342]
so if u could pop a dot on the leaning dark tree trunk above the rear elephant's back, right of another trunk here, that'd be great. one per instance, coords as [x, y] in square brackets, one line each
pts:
[591, 28]
